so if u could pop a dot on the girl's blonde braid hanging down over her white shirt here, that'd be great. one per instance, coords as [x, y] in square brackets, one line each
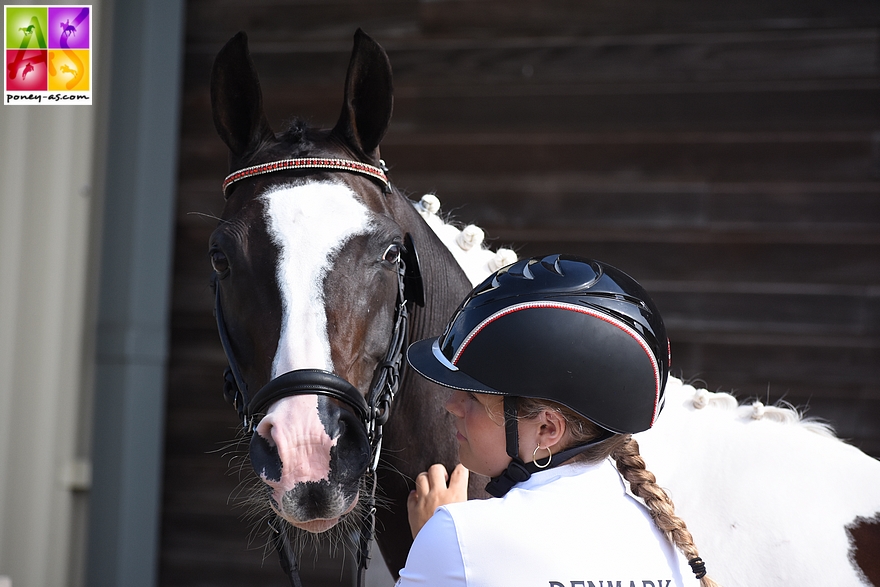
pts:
[644, 485]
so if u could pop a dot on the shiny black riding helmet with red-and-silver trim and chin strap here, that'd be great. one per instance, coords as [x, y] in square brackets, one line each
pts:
[575, 331]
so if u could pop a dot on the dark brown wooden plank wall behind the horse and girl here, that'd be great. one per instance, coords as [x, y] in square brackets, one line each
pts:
[727, 155]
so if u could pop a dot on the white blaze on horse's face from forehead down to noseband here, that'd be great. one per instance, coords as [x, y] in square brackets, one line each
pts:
[309, 224]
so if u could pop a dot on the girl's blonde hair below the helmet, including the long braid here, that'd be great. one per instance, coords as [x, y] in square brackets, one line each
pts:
[624, 450]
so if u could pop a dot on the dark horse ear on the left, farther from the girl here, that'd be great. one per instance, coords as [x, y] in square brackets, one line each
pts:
[236, 98]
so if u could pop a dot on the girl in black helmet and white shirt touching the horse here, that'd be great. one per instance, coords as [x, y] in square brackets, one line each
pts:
[555, 362]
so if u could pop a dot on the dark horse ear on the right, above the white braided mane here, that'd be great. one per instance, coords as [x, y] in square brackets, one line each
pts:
[369, 98]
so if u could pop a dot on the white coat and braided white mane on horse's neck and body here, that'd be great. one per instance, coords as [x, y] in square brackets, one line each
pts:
[768, 494]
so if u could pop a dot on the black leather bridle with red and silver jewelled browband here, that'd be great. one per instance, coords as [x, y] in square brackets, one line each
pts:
[373, 412]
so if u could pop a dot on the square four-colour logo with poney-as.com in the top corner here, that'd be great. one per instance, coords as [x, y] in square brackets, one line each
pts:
[48, 54]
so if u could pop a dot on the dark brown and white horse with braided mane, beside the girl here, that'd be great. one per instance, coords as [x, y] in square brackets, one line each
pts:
[322, 269]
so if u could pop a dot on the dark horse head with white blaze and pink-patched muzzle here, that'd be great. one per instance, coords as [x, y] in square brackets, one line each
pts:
[314, 269]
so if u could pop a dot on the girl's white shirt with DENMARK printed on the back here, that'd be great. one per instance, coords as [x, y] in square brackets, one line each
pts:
[571, 526]
